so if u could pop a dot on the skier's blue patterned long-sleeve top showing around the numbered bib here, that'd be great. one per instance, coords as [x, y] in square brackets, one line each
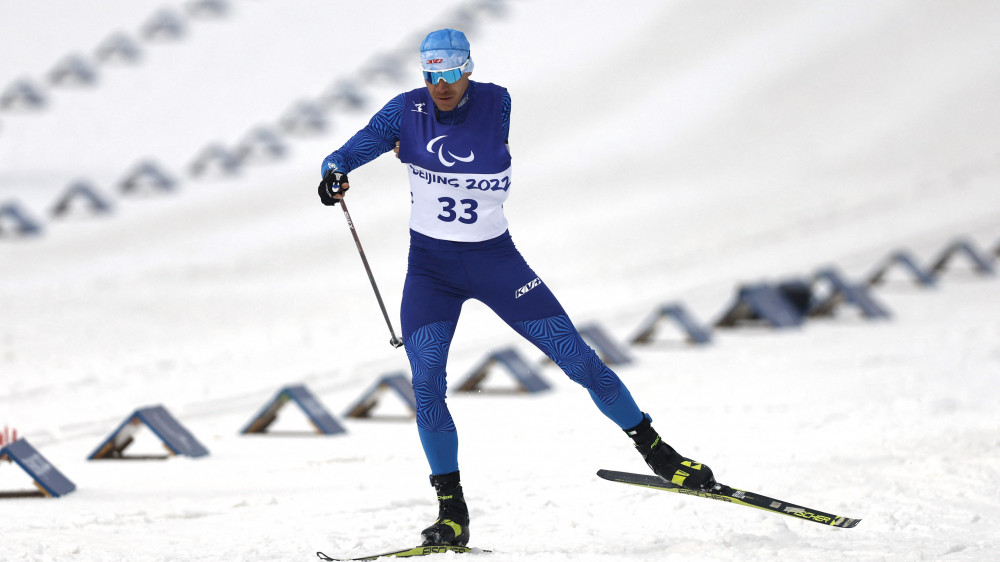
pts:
[382, 131]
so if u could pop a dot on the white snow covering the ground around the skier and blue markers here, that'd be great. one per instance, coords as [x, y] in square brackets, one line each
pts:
[667, 152]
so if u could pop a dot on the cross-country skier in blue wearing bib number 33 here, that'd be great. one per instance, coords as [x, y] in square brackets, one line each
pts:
[452, 135]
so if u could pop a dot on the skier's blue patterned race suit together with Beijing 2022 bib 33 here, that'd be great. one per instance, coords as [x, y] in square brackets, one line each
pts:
[458, 164]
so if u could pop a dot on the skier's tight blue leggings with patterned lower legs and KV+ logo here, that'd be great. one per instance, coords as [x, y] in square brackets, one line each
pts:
[442, 275]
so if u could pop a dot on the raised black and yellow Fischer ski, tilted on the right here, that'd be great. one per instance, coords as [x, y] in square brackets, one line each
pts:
[727, 494]
